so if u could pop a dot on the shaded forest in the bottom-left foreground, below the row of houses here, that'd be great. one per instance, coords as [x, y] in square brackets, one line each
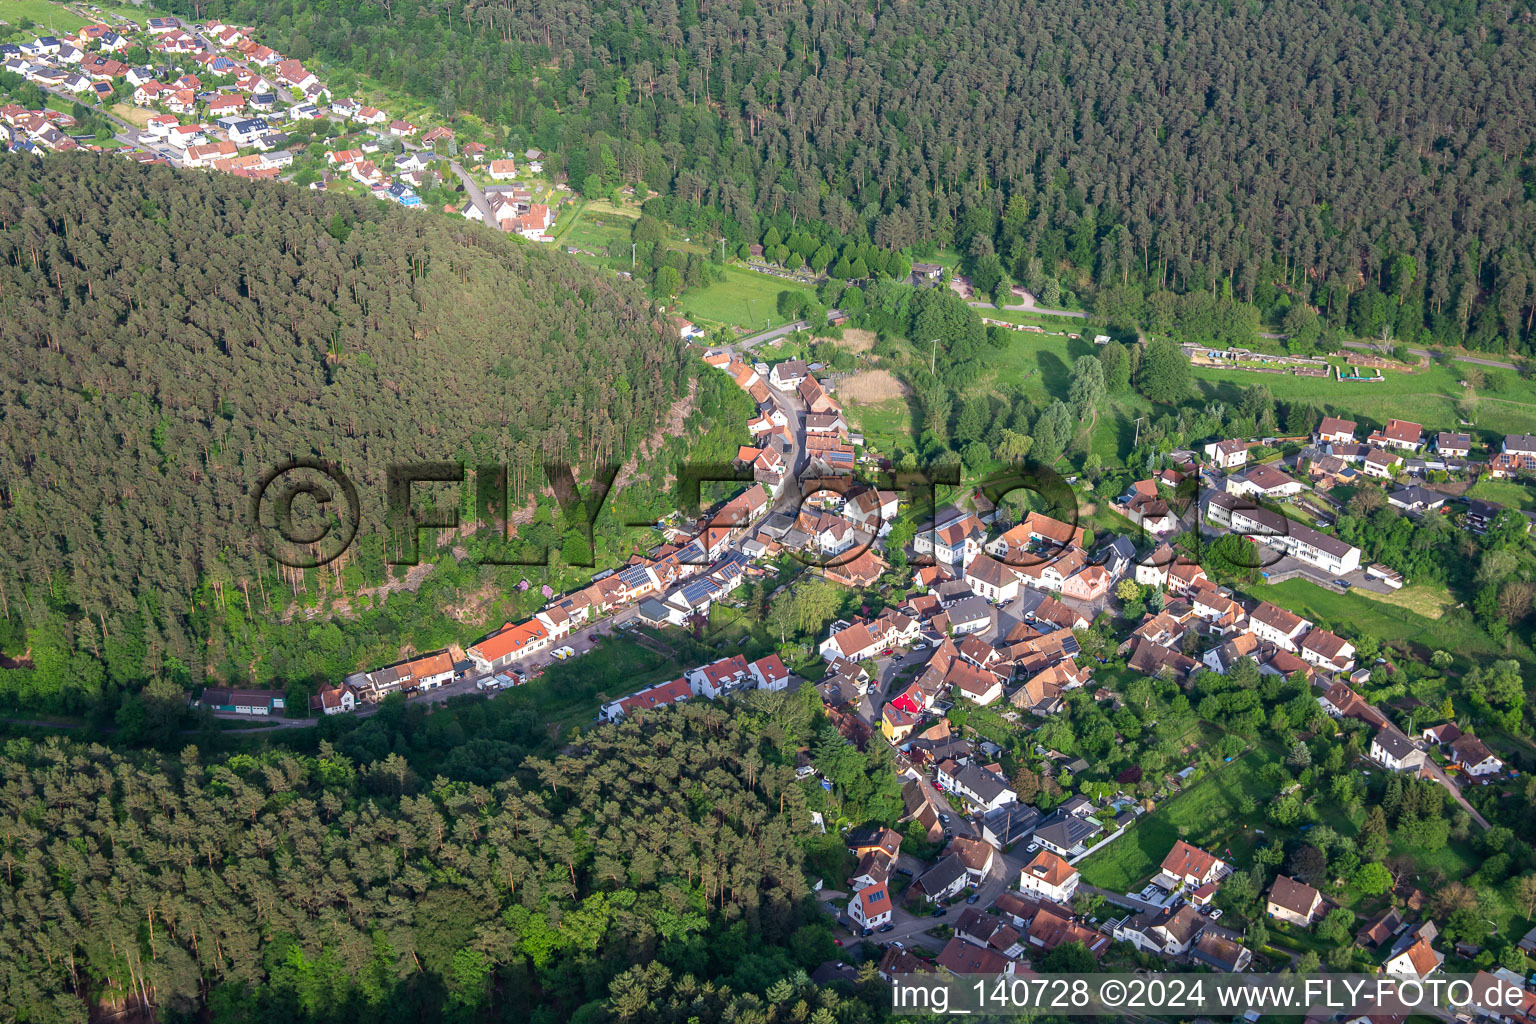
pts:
[314, 888]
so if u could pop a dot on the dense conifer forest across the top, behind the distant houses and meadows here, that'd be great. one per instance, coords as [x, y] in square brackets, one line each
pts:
[1316, 150]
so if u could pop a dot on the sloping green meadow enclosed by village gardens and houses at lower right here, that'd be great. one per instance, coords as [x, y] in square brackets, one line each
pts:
[1207, 816]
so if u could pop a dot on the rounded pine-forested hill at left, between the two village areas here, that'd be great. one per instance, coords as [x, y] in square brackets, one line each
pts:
[167, 339]
